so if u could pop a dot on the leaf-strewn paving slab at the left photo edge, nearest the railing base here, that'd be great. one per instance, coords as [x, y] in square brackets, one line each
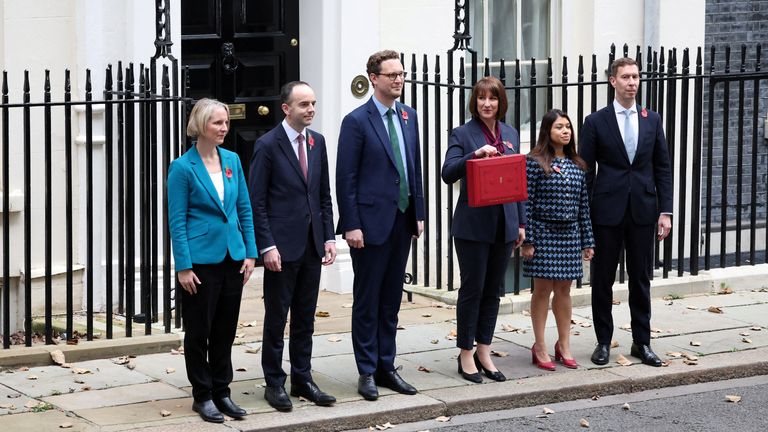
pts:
[54, 380]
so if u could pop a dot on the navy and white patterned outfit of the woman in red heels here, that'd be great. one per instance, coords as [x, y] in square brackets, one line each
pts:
[559, 225]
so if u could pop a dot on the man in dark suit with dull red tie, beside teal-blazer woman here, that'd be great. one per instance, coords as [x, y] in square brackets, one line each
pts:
[293, 219]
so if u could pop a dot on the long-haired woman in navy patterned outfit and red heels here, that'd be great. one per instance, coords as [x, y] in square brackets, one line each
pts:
[558, 234]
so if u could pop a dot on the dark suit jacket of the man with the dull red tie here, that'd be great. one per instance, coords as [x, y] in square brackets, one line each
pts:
[285, 205]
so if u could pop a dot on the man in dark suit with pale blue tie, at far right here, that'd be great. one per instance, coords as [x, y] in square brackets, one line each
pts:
[631, 200]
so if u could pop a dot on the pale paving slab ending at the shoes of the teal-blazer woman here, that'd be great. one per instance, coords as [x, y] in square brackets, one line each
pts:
[123, 395]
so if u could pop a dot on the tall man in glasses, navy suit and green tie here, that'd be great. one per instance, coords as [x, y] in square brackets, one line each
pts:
[381, 206]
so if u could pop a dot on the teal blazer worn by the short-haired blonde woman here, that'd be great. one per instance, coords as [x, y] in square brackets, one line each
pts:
[202, 229]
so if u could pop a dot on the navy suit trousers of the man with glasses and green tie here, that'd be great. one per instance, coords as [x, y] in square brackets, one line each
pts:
[378, 291]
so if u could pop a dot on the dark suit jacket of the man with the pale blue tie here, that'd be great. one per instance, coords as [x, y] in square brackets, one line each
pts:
[646, 182]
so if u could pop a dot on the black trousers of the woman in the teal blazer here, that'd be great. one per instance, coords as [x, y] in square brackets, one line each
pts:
[210, 323]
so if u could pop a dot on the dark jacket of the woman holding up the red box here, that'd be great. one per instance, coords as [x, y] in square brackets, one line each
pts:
[478, 223]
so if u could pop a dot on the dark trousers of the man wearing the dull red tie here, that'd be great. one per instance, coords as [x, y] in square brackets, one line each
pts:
[295, 288]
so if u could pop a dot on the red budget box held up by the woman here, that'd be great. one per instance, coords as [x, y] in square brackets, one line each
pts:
[496, 180]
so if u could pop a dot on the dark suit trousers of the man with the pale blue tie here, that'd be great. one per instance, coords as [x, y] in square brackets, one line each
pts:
[638, 244]
